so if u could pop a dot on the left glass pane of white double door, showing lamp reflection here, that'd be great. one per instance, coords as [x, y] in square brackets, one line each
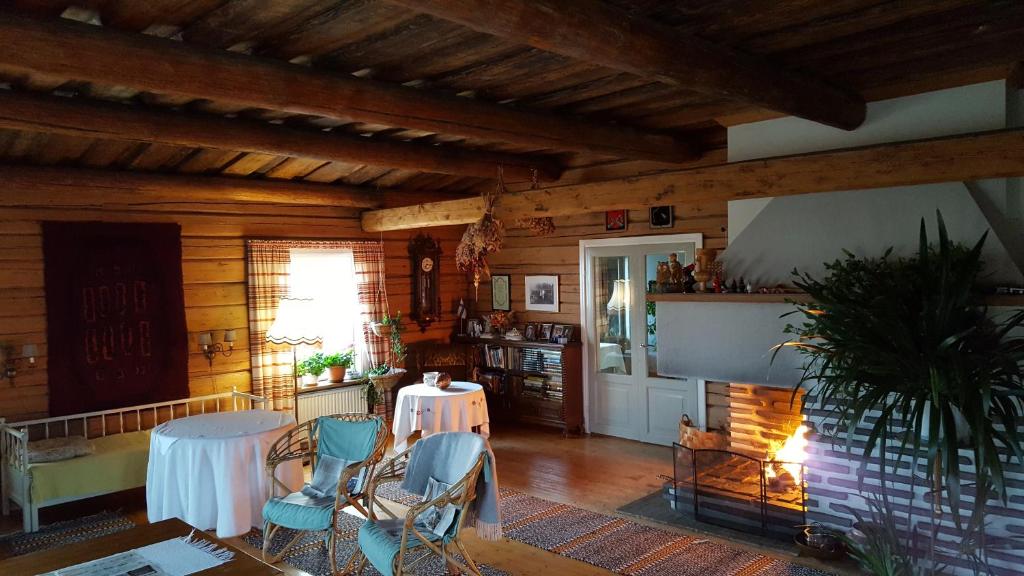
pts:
[614, 309]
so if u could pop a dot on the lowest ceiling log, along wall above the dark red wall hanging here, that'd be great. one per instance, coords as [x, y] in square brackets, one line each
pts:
[35, 186]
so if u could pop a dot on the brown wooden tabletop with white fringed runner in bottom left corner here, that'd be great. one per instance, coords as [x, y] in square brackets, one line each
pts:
[54, 559]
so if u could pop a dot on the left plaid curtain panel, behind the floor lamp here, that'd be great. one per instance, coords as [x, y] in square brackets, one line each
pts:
[273, 374]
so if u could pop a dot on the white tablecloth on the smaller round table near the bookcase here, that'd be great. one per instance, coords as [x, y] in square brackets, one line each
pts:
[431, 410]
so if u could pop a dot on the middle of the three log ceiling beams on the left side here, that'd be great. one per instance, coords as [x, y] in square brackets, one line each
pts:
[92, 119]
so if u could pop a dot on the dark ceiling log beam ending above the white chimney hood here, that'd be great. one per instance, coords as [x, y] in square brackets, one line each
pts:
[595, 32]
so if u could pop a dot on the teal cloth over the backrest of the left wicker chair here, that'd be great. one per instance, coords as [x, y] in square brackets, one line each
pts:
[349, 437]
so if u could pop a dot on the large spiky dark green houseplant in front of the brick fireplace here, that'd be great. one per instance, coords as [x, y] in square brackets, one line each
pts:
[906, 349]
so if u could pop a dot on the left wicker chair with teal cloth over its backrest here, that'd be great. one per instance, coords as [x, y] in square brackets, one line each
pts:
[360, 439]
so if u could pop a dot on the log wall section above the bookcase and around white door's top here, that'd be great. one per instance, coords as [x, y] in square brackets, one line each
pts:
[560, 254]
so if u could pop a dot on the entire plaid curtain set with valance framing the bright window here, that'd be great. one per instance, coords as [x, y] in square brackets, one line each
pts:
[269, 270]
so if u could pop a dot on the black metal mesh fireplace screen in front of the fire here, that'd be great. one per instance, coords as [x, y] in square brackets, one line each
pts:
[739, 491]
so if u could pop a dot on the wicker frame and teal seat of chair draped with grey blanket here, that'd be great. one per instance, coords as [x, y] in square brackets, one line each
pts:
[408, 544]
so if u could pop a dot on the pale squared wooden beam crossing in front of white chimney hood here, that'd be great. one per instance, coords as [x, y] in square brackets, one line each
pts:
[965, 157]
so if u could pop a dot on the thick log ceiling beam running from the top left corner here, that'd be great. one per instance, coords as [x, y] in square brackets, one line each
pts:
[68, 50]
